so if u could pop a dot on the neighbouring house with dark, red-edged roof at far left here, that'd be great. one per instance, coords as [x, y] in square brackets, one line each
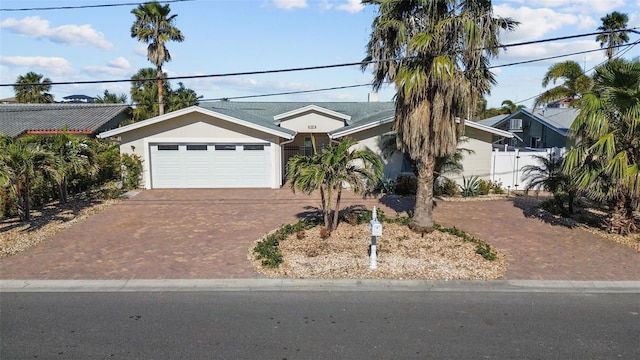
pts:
[86, 119]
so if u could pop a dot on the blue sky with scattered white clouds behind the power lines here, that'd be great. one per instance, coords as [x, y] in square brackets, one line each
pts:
[232, 36]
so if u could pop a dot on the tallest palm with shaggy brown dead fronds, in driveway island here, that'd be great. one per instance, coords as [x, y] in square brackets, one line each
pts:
[436, 53]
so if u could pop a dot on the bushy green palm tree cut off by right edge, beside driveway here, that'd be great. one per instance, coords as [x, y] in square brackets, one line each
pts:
[606, 159]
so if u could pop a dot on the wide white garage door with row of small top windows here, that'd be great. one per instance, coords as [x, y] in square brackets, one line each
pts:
[210, 165]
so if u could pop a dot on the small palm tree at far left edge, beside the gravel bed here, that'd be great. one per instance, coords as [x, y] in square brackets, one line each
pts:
[20, 162]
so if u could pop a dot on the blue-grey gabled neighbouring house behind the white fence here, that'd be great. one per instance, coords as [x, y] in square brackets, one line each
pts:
[542, 128]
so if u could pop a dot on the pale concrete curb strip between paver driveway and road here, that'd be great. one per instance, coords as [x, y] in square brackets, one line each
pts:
[141, 285]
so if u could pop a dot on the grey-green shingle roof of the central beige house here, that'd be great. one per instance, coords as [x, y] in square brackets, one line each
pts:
[359, 111]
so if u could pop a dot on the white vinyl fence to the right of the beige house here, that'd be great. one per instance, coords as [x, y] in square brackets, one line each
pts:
[507, 164]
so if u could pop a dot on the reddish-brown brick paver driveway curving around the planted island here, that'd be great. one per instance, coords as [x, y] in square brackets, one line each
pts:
[205, 234]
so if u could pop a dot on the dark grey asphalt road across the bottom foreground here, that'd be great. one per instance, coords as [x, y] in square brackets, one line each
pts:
[319, 325]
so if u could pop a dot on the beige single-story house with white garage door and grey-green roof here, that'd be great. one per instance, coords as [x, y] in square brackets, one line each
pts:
[247, 144]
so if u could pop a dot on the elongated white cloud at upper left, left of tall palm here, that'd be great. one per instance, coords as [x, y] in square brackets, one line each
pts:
[37, 28]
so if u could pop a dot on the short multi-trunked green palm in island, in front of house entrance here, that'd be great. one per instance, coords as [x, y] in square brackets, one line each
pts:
[332, 168]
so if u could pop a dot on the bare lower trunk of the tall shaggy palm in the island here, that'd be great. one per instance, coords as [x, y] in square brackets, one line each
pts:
[422, 221]
